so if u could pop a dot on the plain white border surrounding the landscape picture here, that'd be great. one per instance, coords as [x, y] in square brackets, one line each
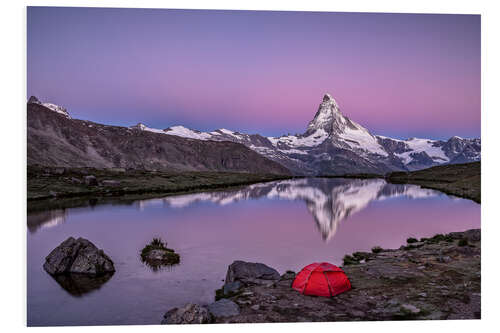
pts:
[13, 92]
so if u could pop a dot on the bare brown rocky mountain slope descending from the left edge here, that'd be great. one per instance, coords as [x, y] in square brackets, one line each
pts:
[54, 139]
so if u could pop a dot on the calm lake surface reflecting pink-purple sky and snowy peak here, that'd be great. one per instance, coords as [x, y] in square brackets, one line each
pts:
[285, 224]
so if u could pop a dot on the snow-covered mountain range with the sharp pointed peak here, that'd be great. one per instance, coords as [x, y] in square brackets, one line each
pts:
[334, 144]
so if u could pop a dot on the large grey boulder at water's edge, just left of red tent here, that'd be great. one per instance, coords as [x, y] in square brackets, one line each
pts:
[251, 273]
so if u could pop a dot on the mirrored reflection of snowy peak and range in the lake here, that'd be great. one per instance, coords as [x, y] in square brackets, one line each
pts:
[328, 200]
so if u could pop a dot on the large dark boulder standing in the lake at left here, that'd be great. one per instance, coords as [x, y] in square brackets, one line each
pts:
[78, 256]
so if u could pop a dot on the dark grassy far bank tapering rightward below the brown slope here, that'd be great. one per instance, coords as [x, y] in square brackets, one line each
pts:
[45, 183]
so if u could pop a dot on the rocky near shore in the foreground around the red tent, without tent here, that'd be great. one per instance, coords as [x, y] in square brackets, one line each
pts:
[427, 279]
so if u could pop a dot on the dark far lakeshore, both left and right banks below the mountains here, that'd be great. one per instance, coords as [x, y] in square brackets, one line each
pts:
[70, 188]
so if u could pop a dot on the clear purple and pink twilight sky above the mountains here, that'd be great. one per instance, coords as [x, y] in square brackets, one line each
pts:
[399, 75]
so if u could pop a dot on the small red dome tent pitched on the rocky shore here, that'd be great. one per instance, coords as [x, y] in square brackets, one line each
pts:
[321, 279]
